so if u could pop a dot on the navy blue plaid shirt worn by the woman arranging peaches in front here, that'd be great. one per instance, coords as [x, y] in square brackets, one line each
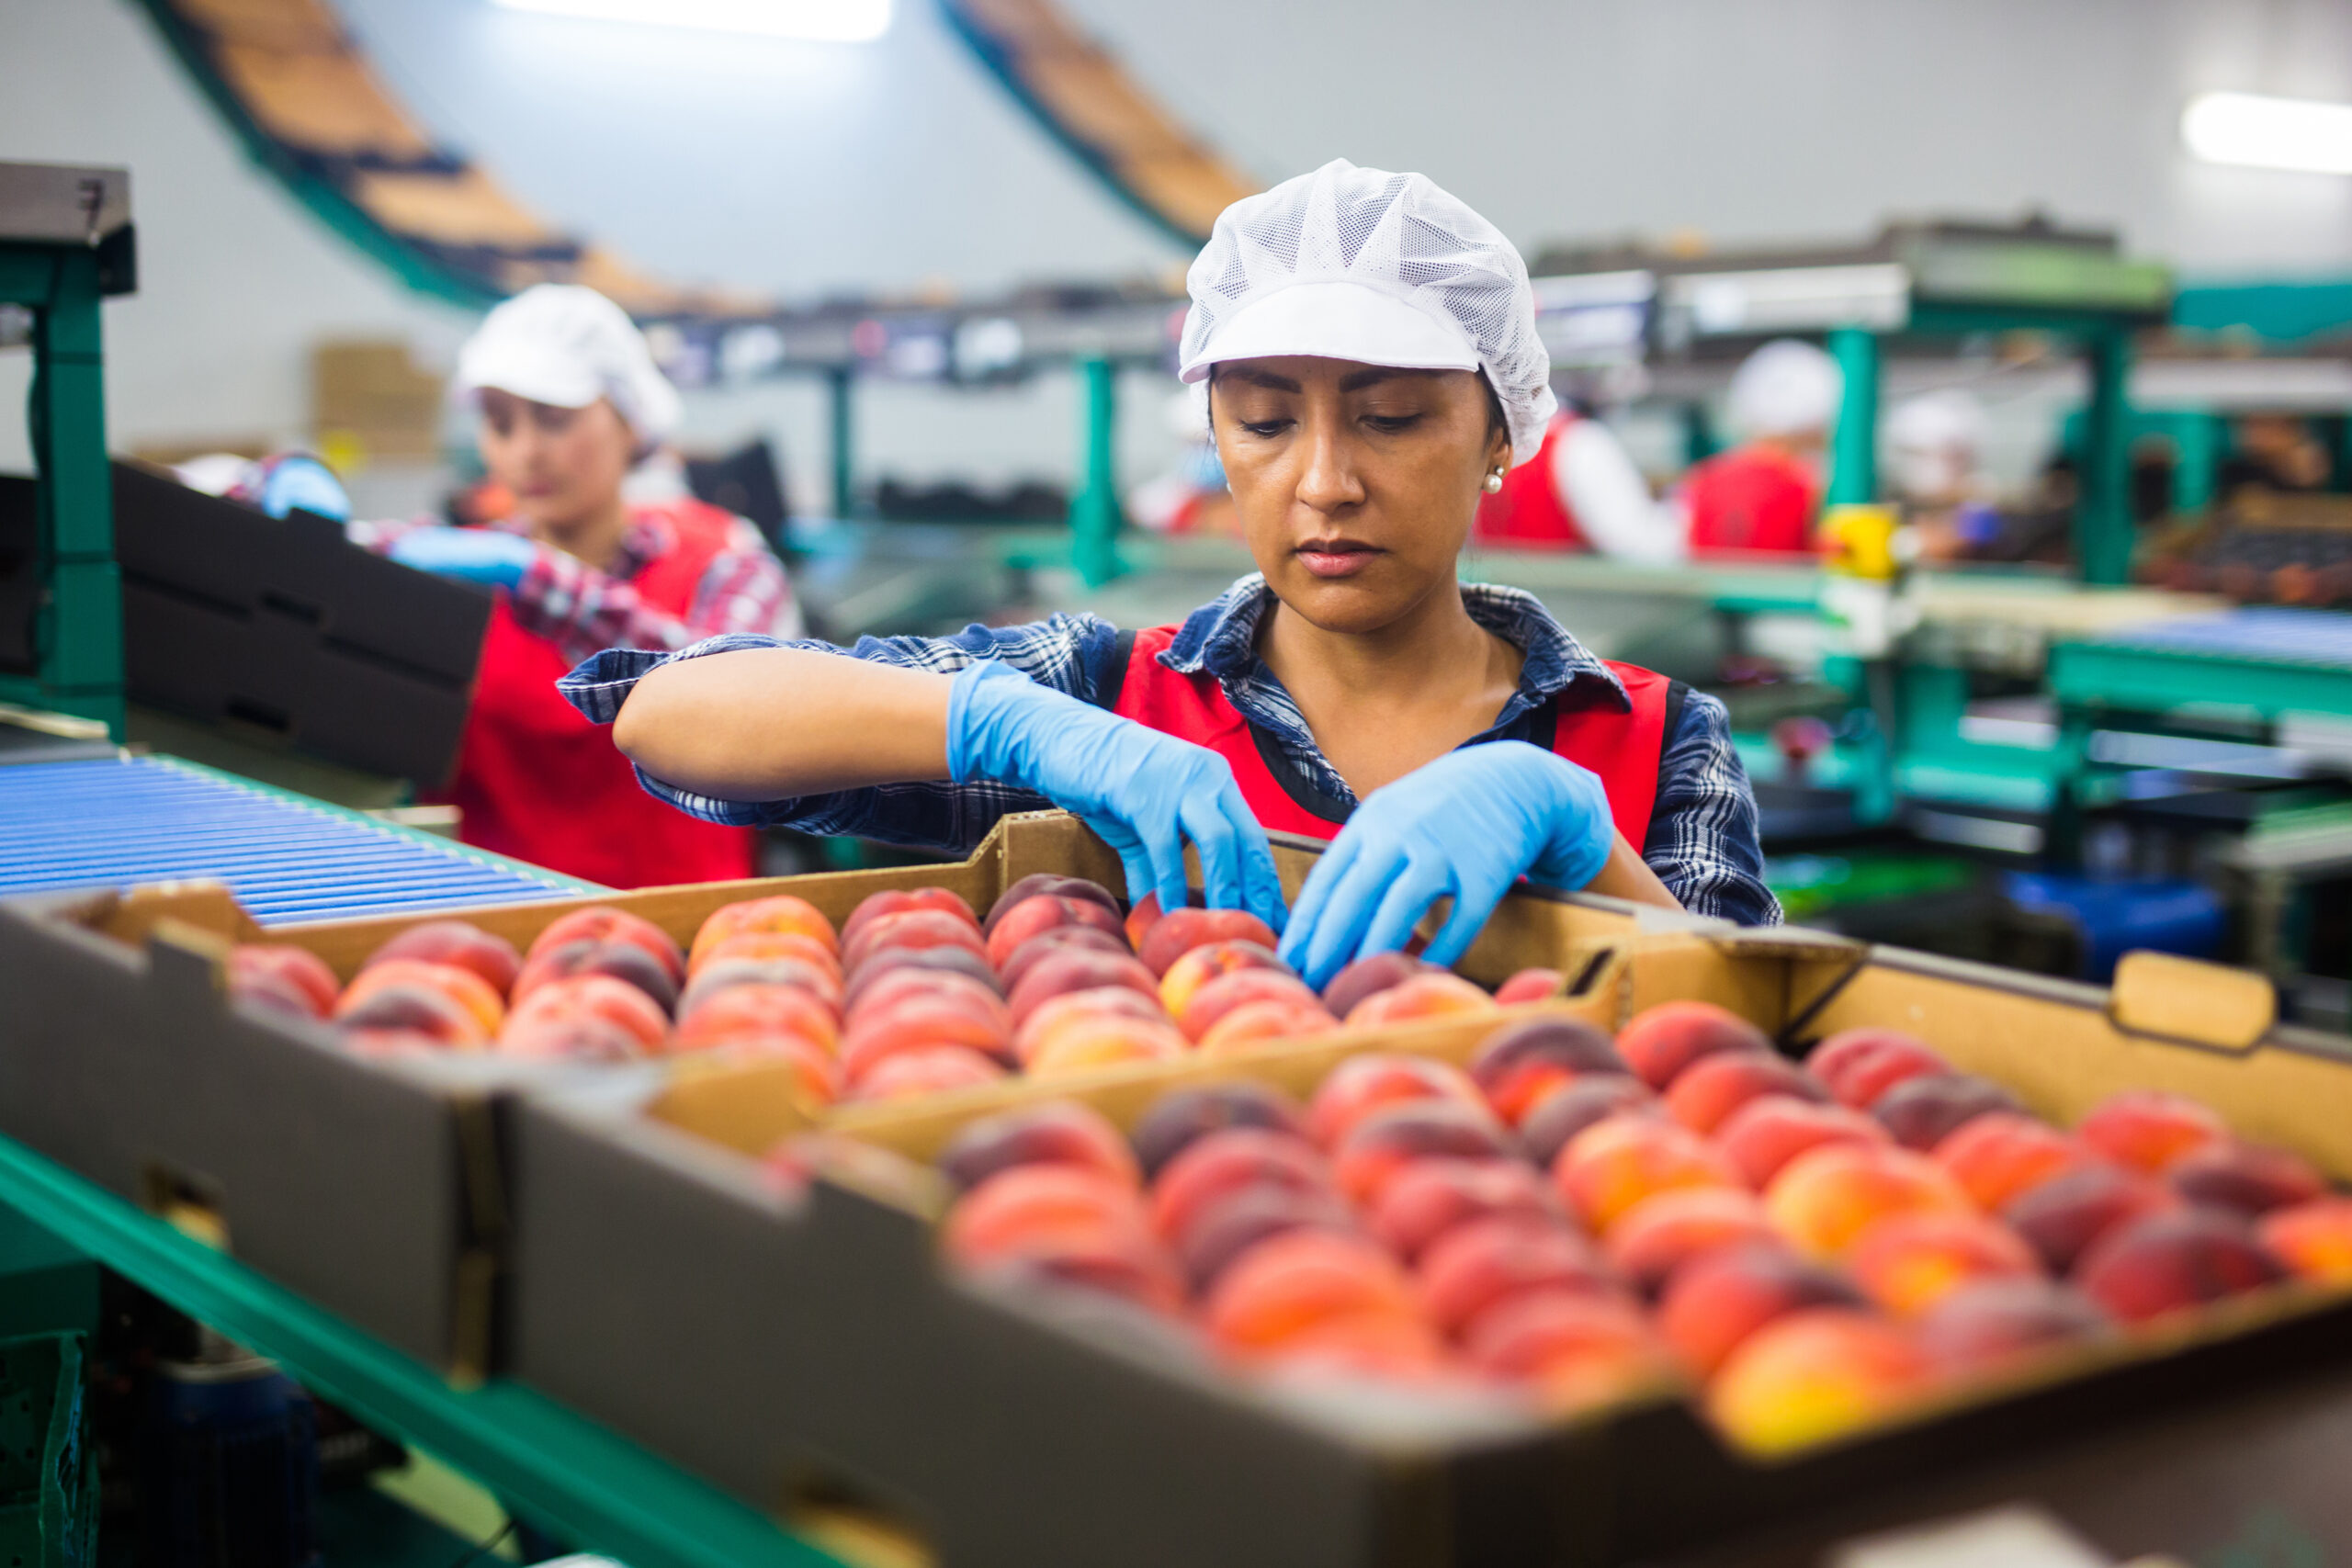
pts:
[1702, 829]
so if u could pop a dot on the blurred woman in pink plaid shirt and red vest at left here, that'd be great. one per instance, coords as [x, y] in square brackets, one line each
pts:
[570, 403]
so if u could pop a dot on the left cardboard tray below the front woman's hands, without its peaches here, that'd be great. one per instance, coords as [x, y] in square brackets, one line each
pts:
[382, 1188]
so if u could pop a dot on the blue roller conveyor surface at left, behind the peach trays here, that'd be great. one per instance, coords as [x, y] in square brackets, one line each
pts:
[152, 819]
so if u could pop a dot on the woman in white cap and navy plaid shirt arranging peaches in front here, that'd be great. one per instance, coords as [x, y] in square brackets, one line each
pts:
[1372, 370]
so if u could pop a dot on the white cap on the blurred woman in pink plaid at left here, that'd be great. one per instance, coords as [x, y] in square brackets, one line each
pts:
[568, 347]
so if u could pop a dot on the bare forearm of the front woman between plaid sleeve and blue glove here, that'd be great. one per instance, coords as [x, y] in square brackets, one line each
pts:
[784, 723]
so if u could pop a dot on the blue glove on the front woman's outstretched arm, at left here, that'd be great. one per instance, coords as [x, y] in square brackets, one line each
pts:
[1142, 791]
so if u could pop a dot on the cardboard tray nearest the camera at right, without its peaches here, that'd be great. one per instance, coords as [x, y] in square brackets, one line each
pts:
[813, 1348]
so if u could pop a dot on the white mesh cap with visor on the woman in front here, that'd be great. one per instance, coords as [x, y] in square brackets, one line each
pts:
[1379, 269]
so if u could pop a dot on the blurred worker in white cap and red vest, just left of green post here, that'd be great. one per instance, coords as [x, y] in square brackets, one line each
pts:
[1763, 495]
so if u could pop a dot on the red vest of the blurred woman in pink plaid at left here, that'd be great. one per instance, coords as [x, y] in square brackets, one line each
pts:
[542, 784]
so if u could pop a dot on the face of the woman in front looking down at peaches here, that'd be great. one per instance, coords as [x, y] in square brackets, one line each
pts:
[1356, 483]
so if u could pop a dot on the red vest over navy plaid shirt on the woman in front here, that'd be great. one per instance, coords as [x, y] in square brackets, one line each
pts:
[1624, 749]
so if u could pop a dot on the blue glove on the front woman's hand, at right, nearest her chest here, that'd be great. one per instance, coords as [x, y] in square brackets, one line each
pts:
[1469, 824]
